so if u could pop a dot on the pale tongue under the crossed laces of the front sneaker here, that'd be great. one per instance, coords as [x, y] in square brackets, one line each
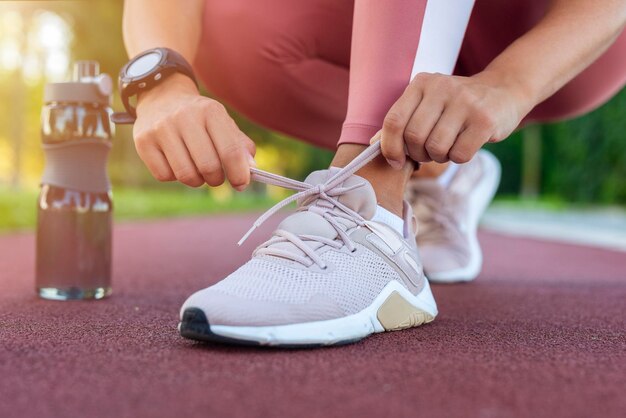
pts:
[304, 222]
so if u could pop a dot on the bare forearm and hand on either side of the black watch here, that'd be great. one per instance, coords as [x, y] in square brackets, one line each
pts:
[180, 134]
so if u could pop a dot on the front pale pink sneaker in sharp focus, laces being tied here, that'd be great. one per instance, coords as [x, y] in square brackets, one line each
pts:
[327, 275]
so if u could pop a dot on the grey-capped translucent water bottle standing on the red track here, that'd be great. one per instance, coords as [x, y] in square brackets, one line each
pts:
[74, 224]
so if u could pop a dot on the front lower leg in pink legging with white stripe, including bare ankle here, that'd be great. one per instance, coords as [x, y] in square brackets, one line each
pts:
[386, 52]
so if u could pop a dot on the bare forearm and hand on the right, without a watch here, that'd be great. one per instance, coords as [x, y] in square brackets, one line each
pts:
[445, 118]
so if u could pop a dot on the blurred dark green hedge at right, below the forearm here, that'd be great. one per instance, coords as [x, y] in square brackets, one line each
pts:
[583, 160]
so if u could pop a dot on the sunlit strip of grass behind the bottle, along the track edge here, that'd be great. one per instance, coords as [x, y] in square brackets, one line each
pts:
[18, 208]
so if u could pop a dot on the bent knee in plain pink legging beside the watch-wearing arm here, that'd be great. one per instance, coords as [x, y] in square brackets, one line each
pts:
[283, 64]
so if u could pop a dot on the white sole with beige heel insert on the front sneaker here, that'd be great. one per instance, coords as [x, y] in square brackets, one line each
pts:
[417, 310]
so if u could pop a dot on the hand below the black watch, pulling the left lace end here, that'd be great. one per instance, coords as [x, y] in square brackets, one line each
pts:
[182, 135]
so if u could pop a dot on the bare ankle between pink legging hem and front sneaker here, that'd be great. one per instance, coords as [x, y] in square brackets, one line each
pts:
[388, 183]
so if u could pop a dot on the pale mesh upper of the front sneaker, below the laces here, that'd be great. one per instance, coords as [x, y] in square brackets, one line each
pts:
[270, 291]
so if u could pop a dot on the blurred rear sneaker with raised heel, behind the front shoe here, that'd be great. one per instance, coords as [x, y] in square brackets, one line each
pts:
[448, 218]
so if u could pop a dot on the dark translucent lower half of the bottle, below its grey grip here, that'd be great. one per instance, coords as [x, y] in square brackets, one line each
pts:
[74, 240]
